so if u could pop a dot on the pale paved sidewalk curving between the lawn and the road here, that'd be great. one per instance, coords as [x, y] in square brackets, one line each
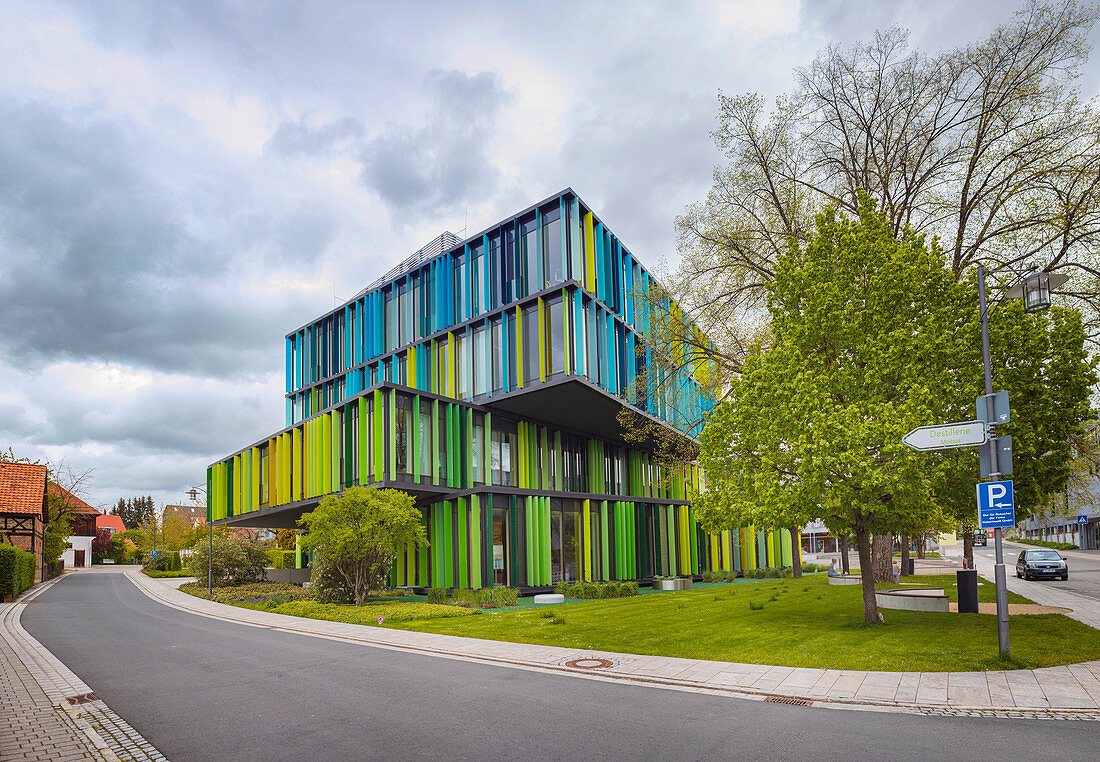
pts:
[1059, 693]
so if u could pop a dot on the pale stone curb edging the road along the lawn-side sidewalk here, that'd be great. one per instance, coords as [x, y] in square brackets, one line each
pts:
[161, 593]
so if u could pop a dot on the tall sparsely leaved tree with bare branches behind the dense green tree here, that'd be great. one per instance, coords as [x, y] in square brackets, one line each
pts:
[987, 147]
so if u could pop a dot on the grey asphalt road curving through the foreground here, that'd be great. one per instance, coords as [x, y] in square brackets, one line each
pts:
[201, 689]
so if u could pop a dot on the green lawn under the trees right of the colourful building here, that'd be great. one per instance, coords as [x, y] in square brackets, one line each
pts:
[808, 624]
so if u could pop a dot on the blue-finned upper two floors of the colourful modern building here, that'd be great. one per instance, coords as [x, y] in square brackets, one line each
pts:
[546, 294]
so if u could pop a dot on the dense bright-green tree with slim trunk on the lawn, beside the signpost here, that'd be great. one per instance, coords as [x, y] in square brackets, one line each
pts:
[860, 357]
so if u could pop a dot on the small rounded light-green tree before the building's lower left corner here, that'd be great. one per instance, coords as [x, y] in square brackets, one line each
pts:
[360, 533]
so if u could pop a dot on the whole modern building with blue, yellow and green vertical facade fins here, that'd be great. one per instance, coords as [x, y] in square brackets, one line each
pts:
[485, 377]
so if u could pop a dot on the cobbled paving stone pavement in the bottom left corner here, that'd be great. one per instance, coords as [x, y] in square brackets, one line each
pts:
[37, 720]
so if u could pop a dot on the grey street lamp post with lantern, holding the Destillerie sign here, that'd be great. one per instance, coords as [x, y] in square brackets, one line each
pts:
[1035, 288]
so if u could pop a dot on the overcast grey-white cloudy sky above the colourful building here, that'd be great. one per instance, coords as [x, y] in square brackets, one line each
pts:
[182, 184]
